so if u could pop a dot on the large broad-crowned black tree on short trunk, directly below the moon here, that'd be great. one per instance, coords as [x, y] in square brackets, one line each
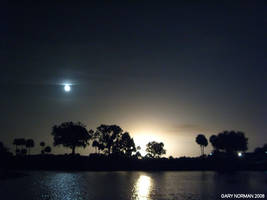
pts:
[71, 135]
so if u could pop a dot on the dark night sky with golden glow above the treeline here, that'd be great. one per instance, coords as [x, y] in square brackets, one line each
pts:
[162, 71]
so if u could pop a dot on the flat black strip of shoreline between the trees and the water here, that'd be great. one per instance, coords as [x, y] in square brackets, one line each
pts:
[113, 163]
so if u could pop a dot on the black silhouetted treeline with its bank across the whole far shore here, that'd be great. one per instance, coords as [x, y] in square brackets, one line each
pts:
[115, 149]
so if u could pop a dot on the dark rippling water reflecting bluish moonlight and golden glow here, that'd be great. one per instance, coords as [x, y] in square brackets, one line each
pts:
[197, 185]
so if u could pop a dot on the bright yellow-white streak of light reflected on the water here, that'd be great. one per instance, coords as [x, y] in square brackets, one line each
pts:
[142, 188]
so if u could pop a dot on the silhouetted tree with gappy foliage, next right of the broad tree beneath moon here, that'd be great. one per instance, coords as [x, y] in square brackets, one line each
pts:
[107, 137]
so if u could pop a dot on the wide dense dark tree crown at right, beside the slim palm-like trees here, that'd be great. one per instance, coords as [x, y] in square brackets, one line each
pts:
[230, 141]
